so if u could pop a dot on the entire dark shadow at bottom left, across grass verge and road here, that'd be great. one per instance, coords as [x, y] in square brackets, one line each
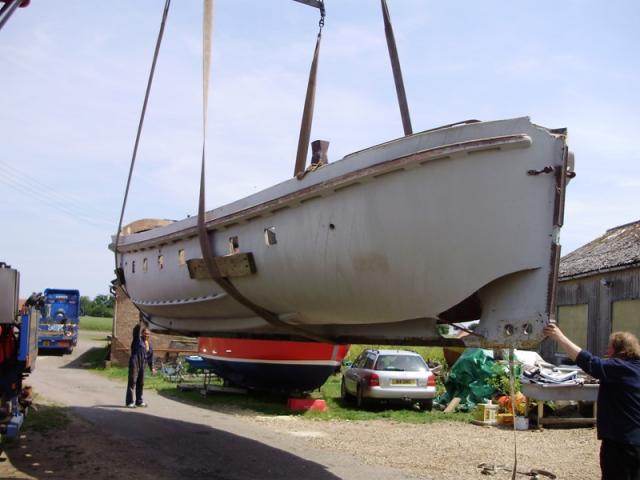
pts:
[135, 444]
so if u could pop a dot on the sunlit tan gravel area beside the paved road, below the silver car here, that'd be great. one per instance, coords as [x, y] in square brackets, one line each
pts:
[450, 450]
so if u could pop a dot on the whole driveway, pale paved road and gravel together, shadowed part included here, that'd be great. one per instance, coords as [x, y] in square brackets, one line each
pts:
[172, 440]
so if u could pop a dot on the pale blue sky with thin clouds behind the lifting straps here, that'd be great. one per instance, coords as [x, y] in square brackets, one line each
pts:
[73, 75]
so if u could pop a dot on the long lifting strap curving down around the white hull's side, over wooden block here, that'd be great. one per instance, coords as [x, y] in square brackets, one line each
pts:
[203, 235]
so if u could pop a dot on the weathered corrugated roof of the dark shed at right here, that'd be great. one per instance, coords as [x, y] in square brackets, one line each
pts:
[619, 247]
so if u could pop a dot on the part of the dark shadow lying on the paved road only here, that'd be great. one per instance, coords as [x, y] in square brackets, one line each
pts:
[181, 449]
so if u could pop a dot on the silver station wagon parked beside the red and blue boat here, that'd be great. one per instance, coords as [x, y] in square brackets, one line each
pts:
[389, 375]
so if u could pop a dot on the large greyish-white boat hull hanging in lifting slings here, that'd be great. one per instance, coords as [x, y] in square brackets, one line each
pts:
[448, 225]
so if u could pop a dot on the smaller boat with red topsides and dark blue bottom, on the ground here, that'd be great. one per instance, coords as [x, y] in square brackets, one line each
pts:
[273, 365]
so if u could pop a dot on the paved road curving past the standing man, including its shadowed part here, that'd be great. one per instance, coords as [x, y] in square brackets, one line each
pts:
[184, 441]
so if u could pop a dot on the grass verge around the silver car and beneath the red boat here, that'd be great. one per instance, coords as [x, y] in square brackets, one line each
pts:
[272, 404]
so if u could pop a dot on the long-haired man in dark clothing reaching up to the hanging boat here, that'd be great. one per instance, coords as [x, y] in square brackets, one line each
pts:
[618, 400]
